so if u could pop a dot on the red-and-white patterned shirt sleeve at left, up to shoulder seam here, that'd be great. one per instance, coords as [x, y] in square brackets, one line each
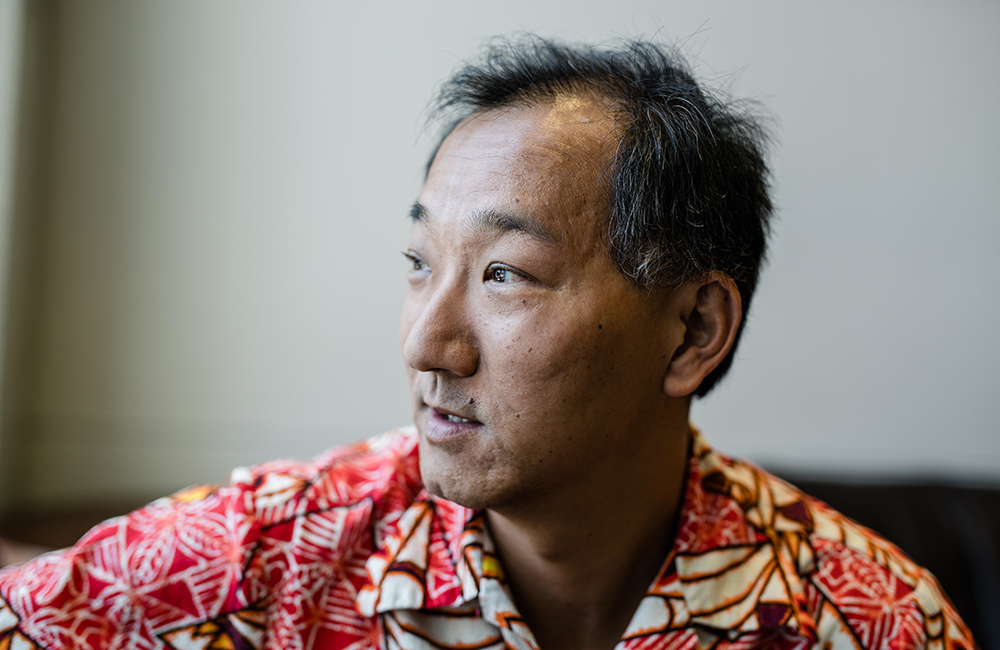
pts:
[132, 579]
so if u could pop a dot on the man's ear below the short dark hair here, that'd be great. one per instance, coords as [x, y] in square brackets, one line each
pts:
[710, 311]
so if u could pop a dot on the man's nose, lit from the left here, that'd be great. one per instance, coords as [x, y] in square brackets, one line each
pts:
[440, 337]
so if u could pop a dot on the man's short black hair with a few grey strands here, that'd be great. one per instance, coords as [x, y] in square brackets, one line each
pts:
[688, 181]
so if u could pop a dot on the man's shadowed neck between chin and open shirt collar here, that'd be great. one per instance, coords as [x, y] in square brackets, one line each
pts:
[579, 568]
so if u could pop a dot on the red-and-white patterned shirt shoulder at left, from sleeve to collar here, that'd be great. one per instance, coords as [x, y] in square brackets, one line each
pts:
[284, 536]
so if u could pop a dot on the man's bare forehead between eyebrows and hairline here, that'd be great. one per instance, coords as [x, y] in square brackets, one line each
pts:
[538, 170]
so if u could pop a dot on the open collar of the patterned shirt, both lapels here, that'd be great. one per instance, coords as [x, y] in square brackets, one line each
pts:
[736, 567]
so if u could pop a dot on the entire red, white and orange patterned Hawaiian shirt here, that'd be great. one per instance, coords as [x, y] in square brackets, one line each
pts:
[349, 551]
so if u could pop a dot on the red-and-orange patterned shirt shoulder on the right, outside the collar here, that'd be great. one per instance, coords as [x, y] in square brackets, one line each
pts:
[851, 584]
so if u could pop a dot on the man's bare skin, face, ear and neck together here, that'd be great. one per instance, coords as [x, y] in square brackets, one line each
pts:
[547, 388]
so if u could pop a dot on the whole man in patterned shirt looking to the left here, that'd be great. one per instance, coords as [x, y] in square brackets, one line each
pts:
[583, 254]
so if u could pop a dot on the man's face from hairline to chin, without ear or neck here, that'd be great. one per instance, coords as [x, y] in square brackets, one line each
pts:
[533, 363]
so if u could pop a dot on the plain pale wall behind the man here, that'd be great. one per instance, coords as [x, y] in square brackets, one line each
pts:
[228, 196]
